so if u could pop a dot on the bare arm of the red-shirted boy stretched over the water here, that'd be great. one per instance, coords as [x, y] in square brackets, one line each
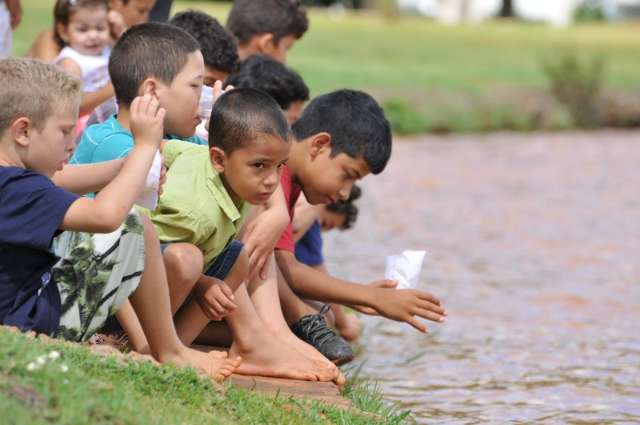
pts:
[400, 305]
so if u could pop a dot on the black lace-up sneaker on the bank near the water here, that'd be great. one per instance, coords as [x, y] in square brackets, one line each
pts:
[313, 329]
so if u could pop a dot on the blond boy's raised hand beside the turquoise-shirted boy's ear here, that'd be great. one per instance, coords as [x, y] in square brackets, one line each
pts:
[147, 121]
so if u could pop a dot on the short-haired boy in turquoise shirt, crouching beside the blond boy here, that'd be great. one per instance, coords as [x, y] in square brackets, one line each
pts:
[176, 82]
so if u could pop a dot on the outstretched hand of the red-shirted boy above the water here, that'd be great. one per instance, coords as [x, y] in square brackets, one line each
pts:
[404, 305]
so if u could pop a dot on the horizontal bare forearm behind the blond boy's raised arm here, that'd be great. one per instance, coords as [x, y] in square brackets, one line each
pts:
[83, 179]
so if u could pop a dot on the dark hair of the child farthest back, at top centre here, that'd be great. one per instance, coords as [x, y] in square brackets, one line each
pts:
[278, 17]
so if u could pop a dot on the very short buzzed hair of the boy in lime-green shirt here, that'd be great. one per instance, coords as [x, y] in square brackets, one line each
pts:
[241, 115]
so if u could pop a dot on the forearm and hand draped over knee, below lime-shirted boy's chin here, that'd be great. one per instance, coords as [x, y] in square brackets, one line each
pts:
[263, 232]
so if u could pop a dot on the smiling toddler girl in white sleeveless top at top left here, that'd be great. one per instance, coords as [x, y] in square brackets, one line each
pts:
[81, 29]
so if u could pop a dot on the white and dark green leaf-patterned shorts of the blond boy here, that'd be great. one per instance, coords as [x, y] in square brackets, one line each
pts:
[95, 275]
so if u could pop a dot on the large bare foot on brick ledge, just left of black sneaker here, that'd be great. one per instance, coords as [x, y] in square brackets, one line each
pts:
[269, 356]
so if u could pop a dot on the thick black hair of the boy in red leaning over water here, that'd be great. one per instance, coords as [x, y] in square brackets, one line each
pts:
[356, 123]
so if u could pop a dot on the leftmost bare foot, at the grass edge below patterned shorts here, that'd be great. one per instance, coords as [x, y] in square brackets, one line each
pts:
[215, 364]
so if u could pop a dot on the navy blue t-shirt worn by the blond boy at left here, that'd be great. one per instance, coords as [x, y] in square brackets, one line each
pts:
[31, 210]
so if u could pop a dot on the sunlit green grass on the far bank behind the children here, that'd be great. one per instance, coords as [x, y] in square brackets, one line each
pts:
[434, 77]
